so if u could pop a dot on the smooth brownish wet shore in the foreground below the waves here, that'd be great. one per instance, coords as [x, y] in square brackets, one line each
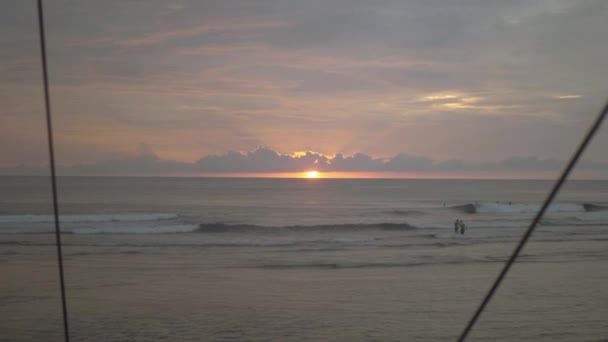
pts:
[272, 294]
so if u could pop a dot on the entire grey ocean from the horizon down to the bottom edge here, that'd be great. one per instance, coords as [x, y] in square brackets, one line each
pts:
[257, 259]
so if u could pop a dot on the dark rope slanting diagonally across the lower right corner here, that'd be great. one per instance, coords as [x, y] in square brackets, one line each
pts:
[558, 184]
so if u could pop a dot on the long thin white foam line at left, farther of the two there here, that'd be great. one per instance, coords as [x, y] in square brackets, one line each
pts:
[129, 217]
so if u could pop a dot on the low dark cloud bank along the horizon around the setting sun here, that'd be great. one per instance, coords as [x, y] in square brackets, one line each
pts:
[265, 160]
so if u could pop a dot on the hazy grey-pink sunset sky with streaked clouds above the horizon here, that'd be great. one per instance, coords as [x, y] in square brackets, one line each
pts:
[421, 88]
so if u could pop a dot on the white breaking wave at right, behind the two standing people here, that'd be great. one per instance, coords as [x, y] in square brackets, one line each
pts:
[523, 208]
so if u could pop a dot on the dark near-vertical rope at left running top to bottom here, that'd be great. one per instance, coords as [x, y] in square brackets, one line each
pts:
[49, 127]
